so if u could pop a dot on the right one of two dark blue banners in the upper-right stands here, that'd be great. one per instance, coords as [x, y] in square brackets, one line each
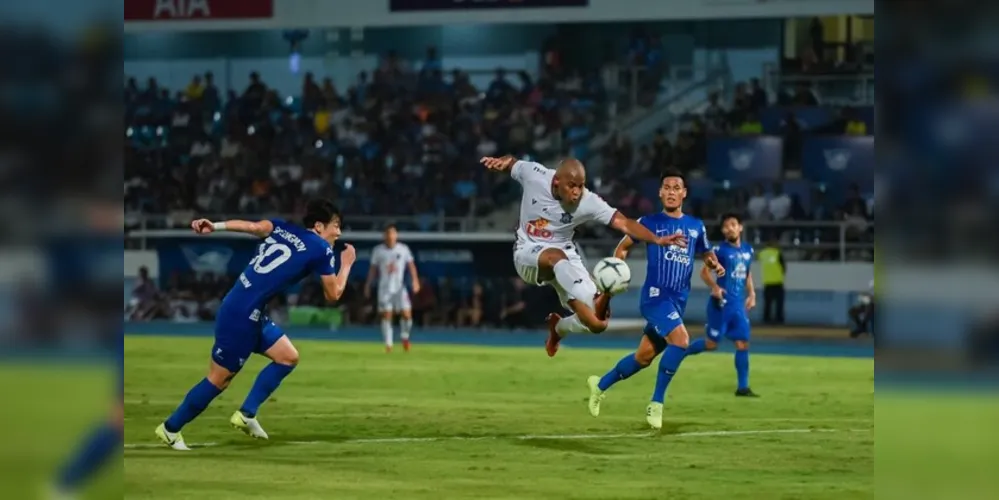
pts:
[839, 161]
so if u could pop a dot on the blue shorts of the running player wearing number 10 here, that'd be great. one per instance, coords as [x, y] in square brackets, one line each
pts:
[237, 338]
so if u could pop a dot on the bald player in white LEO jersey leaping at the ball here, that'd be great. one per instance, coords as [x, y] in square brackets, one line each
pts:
[554, 203]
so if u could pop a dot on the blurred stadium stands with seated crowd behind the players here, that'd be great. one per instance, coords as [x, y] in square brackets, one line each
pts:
[246, 109]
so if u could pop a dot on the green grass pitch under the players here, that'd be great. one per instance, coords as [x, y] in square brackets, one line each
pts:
[485, 422]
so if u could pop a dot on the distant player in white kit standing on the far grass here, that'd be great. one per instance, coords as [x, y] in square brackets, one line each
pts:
[389, 260]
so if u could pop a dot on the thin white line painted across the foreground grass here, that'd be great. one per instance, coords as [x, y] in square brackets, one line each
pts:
[526, 437]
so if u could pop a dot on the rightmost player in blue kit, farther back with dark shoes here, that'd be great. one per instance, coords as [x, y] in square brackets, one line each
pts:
[732, 297]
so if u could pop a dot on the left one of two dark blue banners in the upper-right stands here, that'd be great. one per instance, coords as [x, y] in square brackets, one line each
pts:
[745, 159]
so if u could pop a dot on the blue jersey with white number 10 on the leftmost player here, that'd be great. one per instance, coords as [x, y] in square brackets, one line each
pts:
[285, 257]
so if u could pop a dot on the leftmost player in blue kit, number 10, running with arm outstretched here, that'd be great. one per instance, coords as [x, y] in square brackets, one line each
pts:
[288, 254]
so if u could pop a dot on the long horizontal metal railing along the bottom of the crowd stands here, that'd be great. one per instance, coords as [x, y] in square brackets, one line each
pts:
[800, 240]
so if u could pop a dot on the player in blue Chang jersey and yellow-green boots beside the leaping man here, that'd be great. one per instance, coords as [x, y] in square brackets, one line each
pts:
[664, 297]
